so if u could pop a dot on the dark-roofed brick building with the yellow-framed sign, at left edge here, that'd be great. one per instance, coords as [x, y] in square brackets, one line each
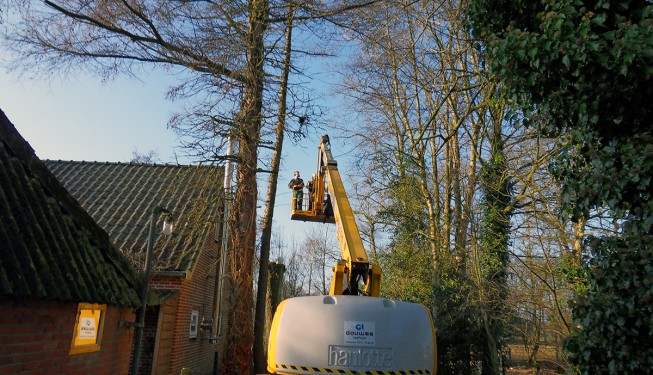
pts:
[66, 292]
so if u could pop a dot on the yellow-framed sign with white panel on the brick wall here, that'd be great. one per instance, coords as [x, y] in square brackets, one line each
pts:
[88, 328]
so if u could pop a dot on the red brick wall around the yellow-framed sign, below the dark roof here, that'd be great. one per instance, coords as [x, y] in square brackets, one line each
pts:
[35, 338]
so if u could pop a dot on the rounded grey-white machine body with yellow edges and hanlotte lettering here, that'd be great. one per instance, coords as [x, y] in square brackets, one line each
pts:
[344, 334]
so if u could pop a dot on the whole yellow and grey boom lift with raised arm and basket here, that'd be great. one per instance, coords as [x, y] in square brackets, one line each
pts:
[352, 330]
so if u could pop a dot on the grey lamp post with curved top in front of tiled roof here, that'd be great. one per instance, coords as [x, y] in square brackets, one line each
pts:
[140, 325]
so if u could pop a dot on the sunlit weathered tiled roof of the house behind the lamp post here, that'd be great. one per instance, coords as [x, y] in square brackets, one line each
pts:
[120, 197]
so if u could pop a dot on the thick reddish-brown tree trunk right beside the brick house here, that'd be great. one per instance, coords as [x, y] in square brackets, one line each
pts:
[240, 338]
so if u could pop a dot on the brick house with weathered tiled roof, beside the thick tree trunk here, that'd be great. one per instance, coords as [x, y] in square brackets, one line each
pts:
[184, 321]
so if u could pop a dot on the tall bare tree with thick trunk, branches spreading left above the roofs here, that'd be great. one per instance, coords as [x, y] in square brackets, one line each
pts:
[221, 48]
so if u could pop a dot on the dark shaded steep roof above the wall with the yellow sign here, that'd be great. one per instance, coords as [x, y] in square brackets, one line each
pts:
[50, 248]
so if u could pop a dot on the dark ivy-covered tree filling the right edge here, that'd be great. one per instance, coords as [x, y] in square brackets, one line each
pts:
[581, 71]
